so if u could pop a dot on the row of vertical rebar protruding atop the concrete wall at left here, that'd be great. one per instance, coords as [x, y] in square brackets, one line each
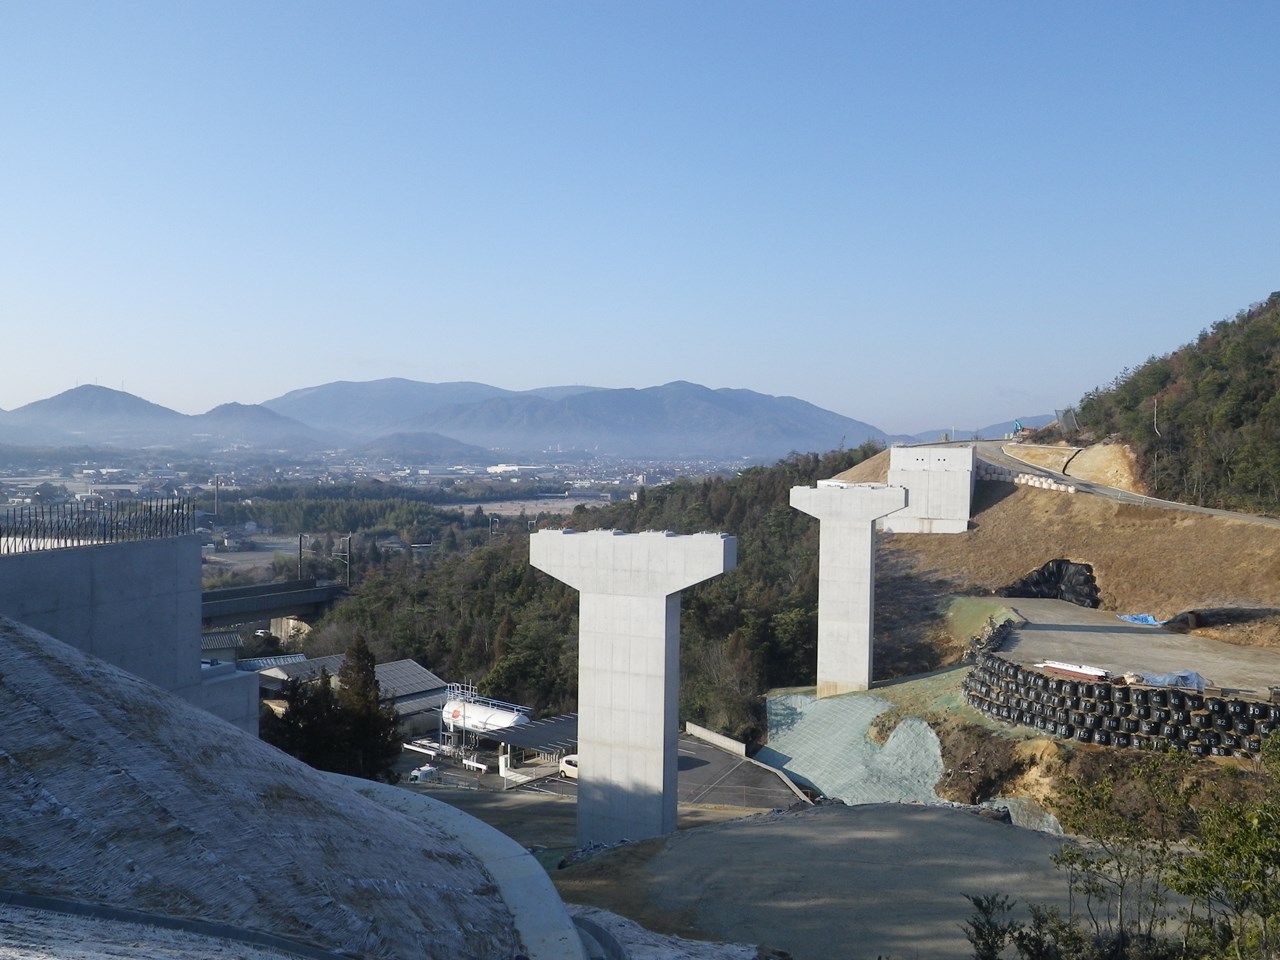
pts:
[66, 525]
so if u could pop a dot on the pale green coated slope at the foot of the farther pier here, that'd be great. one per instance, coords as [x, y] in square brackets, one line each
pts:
[825, 744]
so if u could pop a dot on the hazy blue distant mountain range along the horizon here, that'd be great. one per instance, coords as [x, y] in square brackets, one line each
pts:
[473, 423]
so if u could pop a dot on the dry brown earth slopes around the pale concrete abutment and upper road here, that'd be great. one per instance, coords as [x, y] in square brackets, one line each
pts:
[1146, 560]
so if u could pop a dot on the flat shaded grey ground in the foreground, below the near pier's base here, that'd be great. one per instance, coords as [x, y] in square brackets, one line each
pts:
[852, 883]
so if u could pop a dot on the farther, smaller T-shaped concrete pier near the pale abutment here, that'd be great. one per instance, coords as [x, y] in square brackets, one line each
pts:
[847, 577]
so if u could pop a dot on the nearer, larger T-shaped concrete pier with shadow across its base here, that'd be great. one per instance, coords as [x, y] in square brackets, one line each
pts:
[629, 668]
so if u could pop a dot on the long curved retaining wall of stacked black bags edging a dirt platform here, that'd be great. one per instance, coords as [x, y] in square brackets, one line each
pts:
[1118, 715]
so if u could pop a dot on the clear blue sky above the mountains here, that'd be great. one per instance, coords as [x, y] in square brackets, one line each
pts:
[915, 214]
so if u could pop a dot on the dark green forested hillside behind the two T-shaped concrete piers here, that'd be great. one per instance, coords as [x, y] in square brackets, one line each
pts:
[486, 615]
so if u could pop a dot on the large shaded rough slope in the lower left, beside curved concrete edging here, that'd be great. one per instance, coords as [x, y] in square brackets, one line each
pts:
[113, 792]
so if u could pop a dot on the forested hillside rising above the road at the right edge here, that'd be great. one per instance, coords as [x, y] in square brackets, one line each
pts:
[1205, 420]
